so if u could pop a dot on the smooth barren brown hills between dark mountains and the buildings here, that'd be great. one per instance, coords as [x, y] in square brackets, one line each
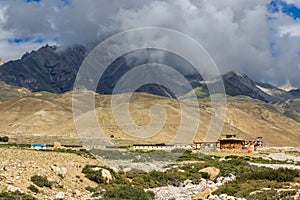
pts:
[41, 117]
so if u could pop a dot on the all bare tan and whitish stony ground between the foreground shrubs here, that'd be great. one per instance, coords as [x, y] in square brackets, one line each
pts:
[64, 171]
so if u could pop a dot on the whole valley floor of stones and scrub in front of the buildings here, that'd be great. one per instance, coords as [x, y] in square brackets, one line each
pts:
[66, 170]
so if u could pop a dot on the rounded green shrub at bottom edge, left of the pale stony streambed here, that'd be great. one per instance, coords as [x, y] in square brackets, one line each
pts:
[128, 192]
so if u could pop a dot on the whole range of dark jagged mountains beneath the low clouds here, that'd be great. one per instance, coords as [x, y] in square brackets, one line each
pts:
[53, 70]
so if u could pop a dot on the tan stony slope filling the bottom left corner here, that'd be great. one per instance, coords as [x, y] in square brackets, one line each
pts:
[17, 166]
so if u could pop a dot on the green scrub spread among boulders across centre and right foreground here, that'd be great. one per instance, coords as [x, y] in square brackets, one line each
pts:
[249, 178]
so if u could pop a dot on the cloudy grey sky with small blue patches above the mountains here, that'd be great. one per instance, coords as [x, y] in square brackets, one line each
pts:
[260, 38]
